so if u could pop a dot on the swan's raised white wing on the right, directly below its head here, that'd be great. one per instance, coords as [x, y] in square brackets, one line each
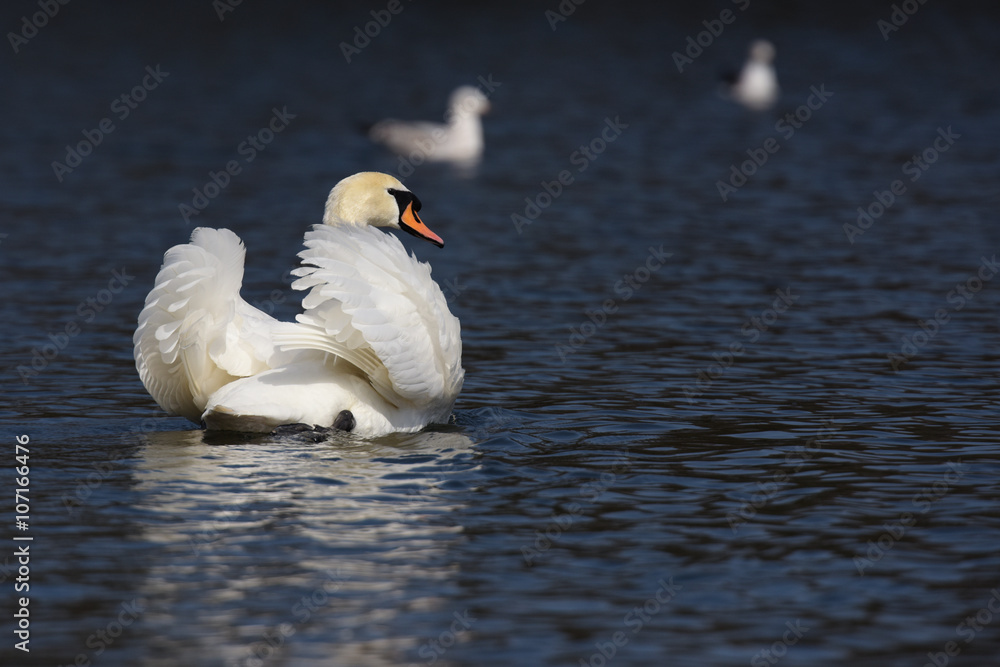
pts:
[377, 308]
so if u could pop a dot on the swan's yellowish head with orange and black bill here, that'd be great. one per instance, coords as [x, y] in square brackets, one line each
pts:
[379, 200]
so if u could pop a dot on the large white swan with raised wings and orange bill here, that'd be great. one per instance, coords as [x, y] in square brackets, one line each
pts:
[375, 351]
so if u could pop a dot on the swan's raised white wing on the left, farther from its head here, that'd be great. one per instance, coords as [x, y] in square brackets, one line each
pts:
[195, 332]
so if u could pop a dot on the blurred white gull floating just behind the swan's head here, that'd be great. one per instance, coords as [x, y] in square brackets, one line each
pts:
[460, 140]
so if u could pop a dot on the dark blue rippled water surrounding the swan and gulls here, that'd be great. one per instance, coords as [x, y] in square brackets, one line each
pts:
[693, 431]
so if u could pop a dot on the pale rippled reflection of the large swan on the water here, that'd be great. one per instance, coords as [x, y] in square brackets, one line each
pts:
[288, 551]
